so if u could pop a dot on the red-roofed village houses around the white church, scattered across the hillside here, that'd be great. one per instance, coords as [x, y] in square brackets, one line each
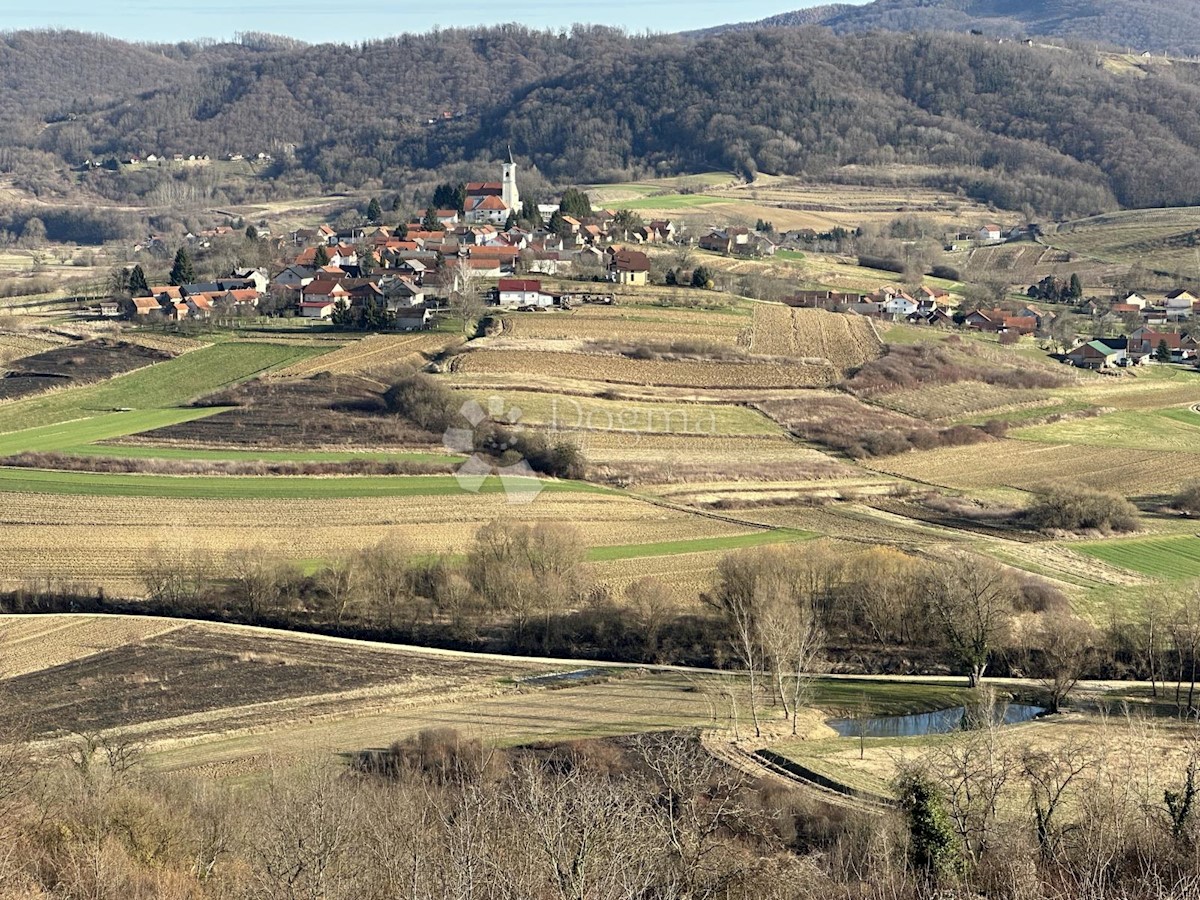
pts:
[500, 250]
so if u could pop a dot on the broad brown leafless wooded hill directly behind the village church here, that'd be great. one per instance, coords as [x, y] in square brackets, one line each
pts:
[1049, 130]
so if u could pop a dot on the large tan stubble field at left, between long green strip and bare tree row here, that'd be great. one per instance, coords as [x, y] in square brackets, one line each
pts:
[105, 542]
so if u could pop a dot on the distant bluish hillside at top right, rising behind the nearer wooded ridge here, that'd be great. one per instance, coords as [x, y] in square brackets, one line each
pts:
[1157, 26]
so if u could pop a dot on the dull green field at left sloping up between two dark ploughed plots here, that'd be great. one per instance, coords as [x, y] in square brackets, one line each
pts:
[166, 385]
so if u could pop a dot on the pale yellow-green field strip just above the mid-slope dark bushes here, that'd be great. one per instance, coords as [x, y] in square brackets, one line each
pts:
[567, 413]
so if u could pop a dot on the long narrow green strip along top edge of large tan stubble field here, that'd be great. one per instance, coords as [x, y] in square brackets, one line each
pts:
[263, 487]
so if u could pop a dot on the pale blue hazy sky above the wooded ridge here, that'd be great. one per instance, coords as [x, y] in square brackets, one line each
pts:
[316, 21]
